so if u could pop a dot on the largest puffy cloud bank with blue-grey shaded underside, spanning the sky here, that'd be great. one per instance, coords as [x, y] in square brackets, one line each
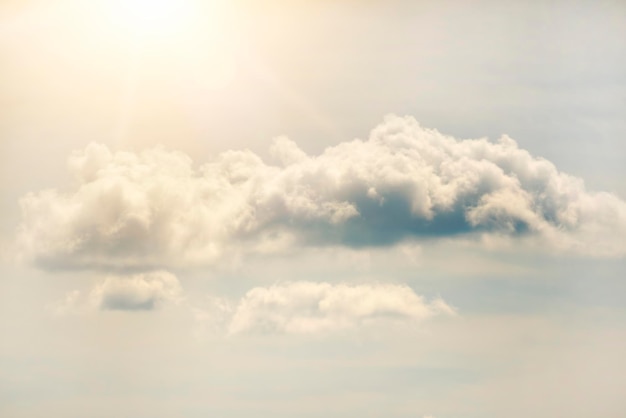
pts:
[157, 209]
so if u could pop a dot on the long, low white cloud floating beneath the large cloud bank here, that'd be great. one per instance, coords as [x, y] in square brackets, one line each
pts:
[312, 308]
